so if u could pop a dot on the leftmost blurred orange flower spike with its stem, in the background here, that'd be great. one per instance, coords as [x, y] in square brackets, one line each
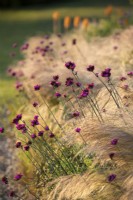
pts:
[56, 17]
